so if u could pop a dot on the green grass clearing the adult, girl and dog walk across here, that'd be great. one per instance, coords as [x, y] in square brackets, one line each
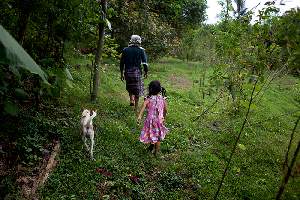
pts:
[193, 155]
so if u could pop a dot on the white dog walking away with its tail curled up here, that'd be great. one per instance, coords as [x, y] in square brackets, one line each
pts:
[88, 129]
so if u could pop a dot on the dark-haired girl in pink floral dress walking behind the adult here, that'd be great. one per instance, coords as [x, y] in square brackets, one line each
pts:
[154, 129]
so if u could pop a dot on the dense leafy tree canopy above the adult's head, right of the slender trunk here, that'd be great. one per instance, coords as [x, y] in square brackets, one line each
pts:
[164, 22]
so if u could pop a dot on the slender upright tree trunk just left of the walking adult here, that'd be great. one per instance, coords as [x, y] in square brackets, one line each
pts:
[96, 75]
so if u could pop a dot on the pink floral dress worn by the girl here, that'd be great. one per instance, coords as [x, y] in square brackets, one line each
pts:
[154, 129]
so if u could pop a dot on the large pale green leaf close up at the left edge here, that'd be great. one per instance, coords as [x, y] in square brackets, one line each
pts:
[12, 53]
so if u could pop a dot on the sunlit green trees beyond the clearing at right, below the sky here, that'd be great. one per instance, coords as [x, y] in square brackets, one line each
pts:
[269, 43]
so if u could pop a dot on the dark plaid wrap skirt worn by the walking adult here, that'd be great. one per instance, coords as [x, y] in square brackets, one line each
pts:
[134, 82]
